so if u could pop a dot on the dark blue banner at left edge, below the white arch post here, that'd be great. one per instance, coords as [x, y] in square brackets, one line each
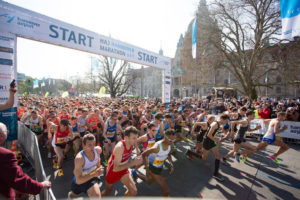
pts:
[10, 118]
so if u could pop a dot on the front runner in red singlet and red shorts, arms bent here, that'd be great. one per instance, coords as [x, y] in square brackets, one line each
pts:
[118, 164]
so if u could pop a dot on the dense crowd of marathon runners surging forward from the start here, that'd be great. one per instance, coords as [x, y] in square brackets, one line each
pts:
[105, 132]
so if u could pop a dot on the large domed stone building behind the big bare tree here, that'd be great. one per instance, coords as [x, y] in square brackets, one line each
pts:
[191, 76]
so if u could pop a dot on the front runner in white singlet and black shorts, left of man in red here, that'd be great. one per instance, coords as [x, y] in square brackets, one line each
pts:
[87, 169]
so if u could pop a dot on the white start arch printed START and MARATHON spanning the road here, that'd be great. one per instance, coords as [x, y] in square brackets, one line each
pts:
[20, 22]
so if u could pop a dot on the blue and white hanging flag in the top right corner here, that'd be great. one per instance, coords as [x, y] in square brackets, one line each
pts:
[290, 16]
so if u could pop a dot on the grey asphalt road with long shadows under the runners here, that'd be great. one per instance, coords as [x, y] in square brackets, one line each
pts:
[258, 178]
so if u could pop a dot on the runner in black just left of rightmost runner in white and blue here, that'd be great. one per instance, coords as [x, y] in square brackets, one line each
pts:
[239, 138]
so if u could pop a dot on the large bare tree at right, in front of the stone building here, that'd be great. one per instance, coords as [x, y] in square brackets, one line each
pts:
[246, 28]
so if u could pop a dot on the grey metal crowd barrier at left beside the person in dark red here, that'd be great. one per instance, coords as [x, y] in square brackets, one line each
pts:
[28, 144]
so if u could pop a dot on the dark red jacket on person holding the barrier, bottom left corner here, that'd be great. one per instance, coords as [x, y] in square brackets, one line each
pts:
[12, 176]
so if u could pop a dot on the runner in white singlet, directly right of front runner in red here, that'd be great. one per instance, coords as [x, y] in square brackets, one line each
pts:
[154, 159]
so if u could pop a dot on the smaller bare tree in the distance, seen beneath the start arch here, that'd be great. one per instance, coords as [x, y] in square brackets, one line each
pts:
[114, 75]
